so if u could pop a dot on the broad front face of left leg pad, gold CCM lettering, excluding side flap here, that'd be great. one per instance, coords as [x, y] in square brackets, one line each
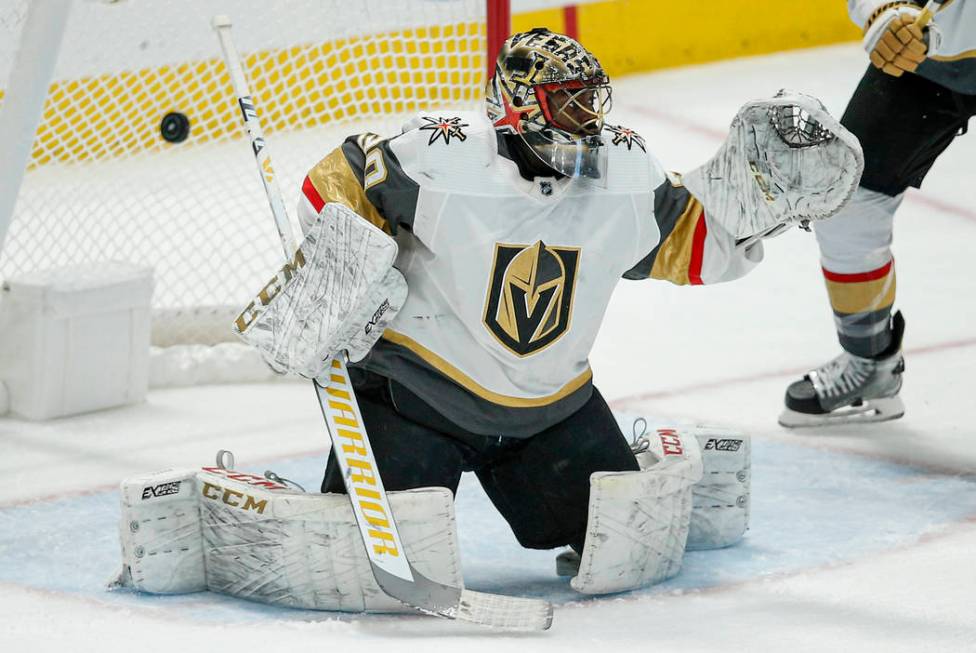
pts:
[305, 550]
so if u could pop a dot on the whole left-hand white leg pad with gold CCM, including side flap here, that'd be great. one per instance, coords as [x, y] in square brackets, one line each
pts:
[246, 536]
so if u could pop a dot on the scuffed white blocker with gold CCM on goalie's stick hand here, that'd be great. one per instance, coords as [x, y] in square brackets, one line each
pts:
[339, 294]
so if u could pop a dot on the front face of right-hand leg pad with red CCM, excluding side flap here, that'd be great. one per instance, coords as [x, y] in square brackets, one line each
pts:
[638, 522]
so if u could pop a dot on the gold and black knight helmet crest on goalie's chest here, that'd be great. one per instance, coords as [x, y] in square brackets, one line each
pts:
[530, 299]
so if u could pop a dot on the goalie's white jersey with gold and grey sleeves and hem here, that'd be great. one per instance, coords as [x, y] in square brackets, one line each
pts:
[508, 278]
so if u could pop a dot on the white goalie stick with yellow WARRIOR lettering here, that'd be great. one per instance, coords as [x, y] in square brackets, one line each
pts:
[387, 558]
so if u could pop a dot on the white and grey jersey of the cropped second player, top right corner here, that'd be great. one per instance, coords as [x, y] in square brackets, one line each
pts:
[953, 65]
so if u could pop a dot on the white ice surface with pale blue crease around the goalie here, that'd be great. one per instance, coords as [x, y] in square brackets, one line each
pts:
[862, 538]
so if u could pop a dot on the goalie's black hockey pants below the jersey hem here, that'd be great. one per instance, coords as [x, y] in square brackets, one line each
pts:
[540, 485]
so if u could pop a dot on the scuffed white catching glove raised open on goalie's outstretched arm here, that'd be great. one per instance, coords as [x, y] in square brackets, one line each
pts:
[785, 161]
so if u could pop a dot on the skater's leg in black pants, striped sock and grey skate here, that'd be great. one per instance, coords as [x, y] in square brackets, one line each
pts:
[904, 124]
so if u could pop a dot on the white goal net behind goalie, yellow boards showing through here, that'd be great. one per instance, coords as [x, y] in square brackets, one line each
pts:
[100, 181]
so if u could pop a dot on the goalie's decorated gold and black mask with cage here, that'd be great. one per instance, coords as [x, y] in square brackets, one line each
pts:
[554, 94]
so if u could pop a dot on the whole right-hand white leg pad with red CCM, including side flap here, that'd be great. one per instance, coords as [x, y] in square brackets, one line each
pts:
[692, 493]
